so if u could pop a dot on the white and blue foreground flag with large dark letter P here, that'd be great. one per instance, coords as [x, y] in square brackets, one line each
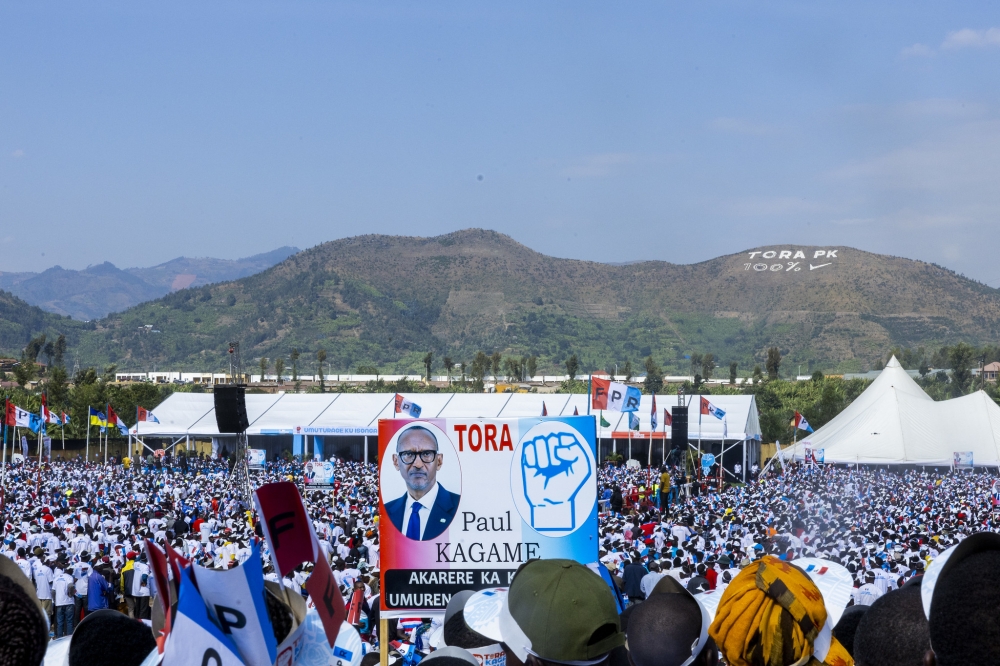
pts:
[235, 601]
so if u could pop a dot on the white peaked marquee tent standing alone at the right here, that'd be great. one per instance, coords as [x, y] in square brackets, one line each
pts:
[895, 422]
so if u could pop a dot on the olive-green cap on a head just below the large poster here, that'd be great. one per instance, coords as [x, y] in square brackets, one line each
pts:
[561, 611]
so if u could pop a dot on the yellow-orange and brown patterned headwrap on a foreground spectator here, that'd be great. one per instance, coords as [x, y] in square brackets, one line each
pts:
[771, 615]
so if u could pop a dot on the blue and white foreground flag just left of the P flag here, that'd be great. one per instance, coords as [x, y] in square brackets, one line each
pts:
[194, 638]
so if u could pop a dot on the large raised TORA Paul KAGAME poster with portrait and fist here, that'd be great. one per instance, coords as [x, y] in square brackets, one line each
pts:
[464, 502]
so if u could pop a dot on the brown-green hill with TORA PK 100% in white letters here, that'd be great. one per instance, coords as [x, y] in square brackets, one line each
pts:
[386, 301]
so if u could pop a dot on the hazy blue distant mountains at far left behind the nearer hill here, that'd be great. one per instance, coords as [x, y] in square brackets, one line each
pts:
[95, 291]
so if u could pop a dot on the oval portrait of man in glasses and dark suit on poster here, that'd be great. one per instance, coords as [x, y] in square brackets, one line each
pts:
[426, 508]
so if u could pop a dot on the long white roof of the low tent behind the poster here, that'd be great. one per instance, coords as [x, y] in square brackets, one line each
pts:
[358, 413]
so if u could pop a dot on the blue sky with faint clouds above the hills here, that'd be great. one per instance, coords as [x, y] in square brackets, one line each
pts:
[137, 132]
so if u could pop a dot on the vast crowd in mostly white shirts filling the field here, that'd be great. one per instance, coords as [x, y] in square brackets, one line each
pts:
[76, 531]
